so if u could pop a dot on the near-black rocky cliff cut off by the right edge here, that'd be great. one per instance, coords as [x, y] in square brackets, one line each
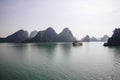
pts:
[115, 39]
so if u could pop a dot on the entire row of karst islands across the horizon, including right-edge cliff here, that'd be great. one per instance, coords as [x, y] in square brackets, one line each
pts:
[49, 35]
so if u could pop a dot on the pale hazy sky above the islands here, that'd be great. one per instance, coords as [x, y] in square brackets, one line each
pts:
[82, 17]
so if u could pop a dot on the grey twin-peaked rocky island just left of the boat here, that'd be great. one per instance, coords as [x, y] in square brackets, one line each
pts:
[49, 35]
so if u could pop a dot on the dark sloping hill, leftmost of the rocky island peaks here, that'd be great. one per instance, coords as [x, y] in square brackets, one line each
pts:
[18, 36]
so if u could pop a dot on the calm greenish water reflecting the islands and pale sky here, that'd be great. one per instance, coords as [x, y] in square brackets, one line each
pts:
[59, 61]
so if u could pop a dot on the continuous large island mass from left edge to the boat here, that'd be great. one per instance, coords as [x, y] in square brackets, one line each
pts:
[48, 35]
